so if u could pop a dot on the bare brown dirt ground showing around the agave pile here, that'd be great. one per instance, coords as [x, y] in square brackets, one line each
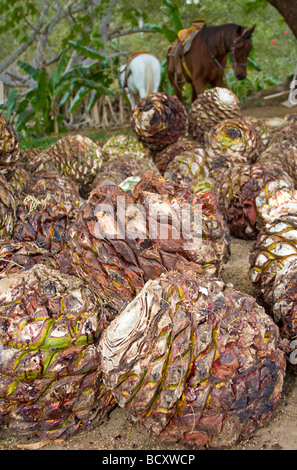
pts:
[120, 433]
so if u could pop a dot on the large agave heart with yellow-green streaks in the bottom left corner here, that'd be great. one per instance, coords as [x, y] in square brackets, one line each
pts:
[50, 376]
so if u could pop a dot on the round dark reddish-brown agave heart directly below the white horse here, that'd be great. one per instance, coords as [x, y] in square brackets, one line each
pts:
[159, 120]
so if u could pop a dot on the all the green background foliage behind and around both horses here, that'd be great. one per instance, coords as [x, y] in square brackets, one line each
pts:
[40, 109]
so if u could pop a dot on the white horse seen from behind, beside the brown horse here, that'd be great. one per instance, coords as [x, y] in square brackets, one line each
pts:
[143, 77]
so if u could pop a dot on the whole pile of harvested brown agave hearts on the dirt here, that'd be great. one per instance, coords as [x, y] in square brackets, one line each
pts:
[92, 318]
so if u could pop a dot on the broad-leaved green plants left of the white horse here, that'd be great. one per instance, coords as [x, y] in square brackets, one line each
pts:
[39, 110]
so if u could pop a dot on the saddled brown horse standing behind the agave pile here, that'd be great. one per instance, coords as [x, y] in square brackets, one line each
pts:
[206, 59]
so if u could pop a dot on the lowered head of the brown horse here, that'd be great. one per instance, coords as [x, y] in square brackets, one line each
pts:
[240, 49]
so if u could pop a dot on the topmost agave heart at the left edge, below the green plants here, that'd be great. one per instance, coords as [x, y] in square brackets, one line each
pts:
[9, 146]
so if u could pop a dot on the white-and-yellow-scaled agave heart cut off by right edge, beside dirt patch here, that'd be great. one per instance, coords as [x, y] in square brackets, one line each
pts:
[275, 248]
